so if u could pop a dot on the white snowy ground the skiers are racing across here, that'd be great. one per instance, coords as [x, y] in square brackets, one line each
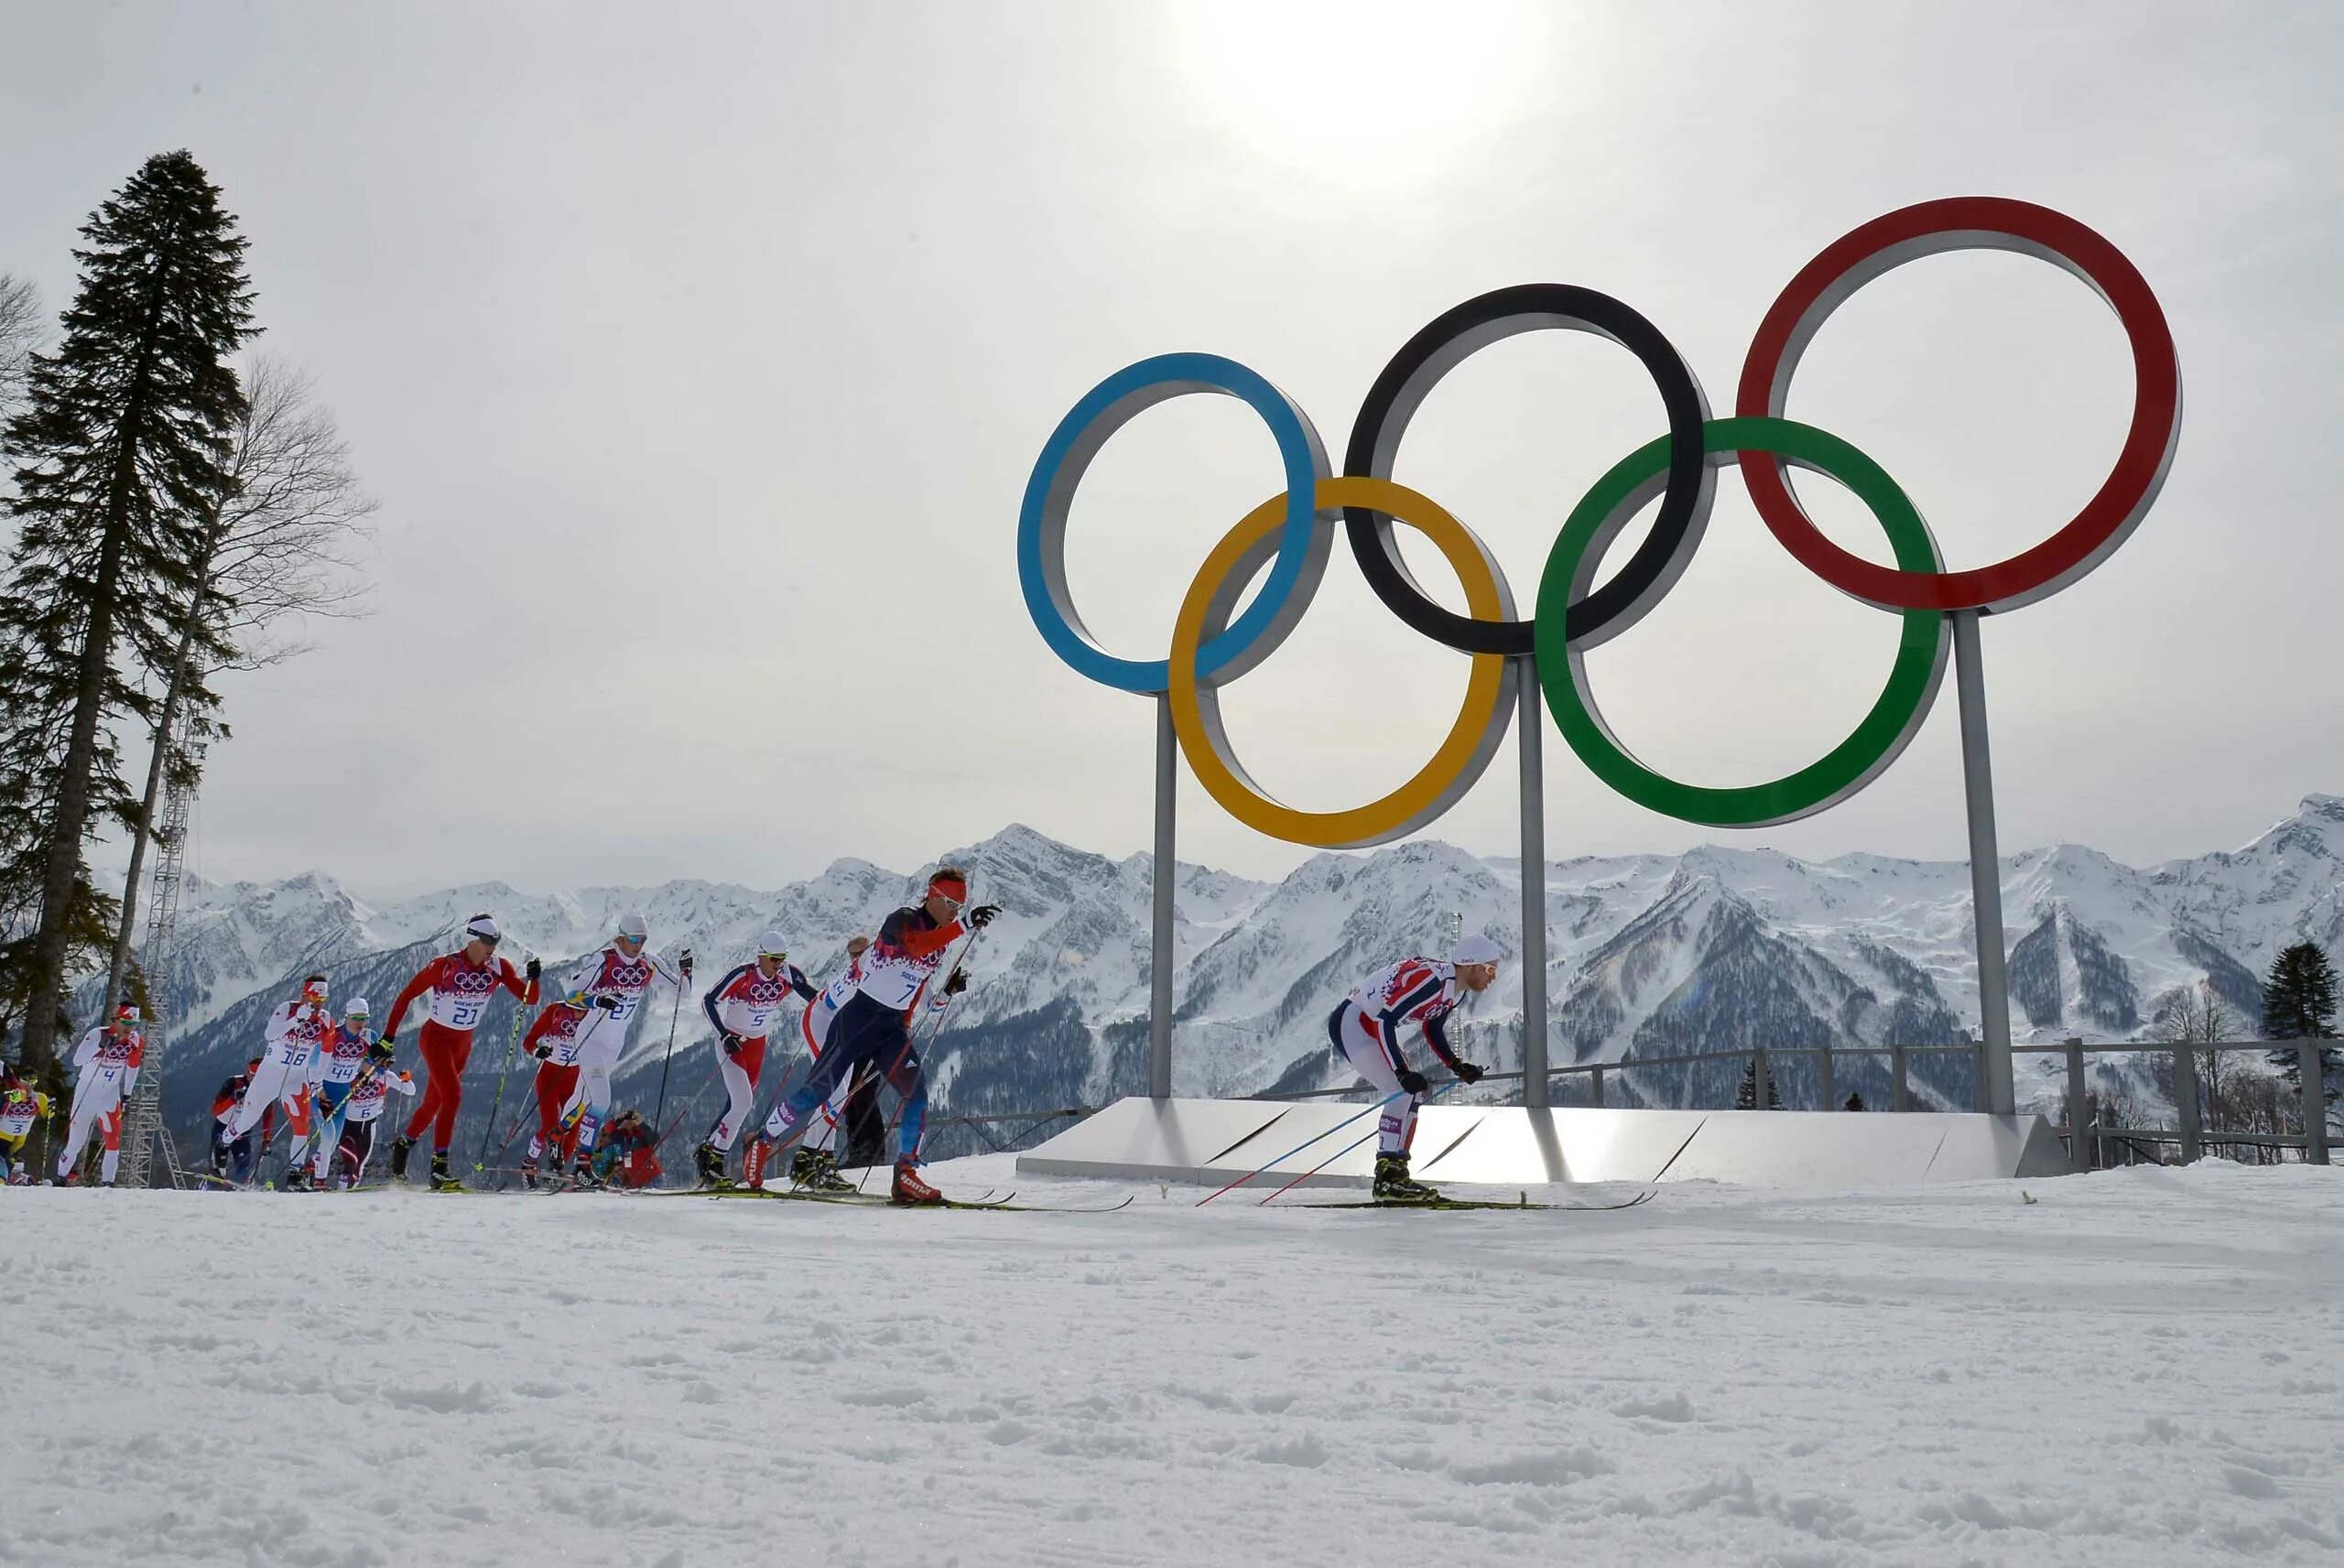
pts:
[2139, 1368]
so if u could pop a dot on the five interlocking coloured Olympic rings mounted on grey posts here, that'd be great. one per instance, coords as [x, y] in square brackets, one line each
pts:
[1295, 531]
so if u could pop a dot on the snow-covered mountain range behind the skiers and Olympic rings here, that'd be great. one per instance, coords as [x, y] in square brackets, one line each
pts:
[1649, 955]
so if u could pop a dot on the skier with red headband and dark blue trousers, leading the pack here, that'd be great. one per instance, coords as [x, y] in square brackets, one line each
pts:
[873, 1028]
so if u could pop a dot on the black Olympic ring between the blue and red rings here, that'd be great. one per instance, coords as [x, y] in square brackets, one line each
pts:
[1438, 350]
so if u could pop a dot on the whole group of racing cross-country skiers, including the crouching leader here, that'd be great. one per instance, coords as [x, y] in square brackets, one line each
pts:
[334, 1075]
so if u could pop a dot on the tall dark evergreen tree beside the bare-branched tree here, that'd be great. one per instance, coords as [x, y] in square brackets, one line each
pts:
[121, 454]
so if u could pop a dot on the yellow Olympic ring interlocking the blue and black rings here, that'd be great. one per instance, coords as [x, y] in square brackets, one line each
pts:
[1454, 768]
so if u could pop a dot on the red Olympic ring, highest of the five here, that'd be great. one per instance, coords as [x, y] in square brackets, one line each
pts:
[1930, 229]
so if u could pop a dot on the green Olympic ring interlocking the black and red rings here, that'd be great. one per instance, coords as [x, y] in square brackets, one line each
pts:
[1883, 735]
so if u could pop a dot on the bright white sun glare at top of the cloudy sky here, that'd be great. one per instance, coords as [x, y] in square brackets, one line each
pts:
[1368, 93]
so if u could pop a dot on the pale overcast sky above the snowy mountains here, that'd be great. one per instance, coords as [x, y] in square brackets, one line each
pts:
[700, 355]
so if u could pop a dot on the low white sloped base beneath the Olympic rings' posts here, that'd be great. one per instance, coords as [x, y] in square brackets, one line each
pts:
[1220, 1140]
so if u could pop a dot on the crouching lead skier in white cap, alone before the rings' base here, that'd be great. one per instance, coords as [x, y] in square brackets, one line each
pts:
[1365, 1032]
